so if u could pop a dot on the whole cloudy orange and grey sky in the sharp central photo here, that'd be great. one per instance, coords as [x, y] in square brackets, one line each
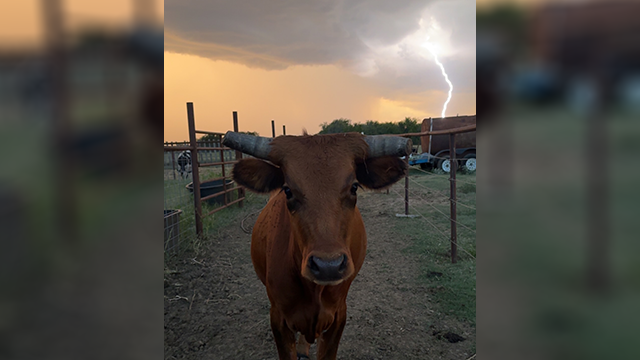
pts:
[303, 63]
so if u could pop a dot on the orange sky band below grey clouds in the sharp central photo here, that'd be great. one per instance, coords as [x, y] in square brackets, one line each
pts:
[298, 97]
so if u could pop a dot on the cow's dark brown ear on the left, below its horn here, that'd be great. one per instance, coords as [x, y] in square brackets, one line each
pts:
[257, 175]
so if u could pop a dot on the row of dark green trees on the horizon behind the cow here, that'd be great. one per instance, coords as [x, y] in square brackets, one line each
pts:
[342, 125]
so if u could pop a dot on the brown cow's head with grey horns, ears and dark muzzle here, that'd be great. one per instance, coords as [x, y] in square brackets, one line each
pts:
[319, 176]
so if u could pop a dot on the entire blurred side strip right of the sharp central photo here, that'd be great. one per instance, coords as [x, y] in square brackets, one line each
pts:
[559, 97]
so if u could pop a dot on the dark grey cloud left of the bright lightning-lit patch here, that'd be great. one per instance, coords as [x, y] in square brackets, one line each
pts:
[287, 32]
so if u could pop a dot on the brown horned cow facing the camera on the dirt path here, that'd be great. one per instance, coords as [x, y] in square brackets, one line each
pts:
[309, 242]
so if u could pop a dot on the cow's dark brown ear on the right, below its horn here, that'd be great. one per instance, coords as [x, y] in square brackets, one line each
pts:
[380, 172]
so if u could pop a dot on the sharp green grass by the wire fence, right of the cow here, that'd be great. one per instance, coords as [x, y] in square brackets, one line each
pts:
[453, 286]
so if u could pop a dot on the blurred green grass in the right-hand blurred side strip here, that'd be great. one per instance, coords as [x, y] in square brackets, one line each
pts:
[544, 232]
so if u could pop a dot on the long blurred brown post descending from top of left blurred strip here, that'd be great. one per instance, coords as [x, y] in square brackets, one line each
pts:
[60, 112]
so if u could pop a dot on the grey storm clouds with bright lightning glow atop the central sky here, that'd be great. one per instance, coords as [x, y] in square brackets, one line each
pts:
[380, 39]
